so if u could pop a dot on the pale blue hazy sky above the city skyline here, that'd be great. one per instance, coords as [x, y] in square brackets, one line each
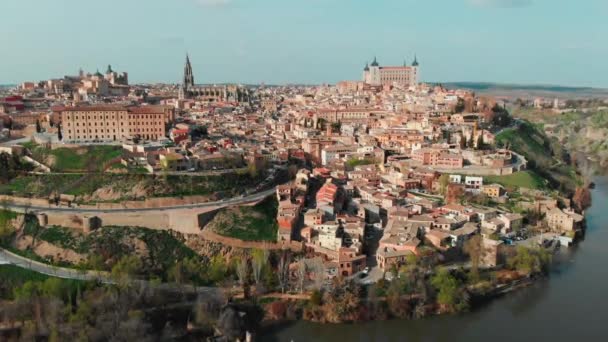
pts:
[557, 42]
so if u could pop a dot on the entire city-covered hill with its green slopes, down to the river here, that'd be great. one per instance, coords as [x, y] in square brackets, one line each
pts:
[287, 192]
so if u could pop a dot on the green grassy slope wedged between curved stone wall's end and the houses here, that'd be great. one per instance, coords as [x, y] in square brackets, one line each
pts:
[257, 223]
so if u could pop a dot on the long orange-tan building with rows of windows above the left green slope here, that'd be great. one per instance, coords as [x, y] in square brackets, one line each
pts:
[113, 123]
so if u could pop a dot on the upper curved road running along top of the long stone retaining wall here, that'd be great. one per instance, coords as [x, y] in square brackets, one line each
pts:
[222, 203]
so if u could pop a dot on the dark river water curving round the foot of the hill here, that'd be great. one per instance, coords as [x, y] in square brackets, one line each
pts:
[572, 305]
